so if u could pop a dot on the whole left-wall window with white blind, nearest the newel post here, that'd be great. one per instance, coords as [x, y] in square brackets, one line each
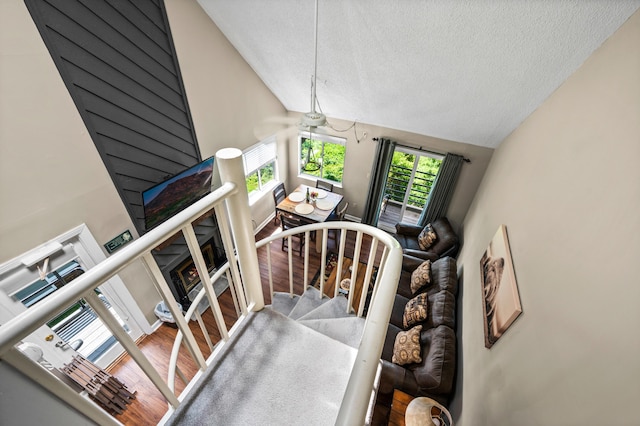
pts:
[260, 167]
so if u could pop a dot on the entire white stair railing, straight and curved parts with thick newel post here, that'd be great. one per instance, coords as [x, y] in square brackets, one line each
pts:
[231, 208]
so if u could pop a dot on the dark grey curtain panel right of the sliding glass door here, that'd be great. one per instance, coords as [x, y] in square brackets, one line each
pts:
[443, 187]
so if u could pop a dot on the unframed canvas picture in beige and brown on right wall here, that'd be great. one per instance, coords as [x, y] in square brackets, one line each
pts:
[500, 297]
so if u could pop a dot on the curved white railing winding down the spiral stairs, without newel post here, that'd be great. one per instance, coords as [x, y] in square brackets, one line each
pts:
[357, 396]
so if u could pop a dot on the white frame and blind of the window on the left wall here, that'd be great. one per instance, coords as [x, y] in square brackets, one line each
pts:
[255, 159]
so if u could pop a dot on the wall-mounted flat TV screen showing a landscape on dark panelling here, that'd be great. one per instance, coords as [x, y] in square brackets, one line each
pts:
[167, 198]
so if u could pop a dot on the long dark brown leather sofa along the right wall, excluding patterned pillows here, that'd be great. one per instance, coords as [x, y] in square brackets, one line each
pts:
[434, 377]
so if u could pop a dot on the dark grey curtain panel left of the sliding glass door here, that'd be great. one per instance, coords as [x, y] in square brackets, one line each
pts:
[379, 173]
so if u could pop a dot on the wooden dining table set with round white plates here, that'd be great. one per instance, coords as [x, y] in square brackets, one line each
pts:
[318, 209]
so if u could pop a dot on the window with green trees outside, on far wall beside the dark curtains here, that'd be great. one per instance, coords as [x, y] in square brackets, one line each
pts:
[322, 156]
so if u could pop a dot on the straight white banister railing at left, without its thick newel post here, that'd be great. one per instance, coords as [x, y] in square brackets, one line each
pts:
[13, 331]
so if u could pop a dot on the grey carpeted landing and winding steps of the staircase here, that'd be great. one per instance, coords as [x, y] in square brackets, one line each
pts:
[287, 364]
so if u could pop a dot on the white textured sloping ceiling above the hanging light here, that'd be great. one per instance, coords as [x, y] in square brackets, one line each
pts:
[469, 71]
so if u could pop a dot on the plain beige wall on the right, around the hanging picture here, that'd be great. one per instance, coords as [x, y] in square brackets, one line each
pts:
[566, 184]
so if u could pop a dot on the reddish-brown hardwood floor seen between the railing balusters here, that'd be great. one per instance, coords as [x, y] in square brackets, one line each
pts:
[150, 406]
